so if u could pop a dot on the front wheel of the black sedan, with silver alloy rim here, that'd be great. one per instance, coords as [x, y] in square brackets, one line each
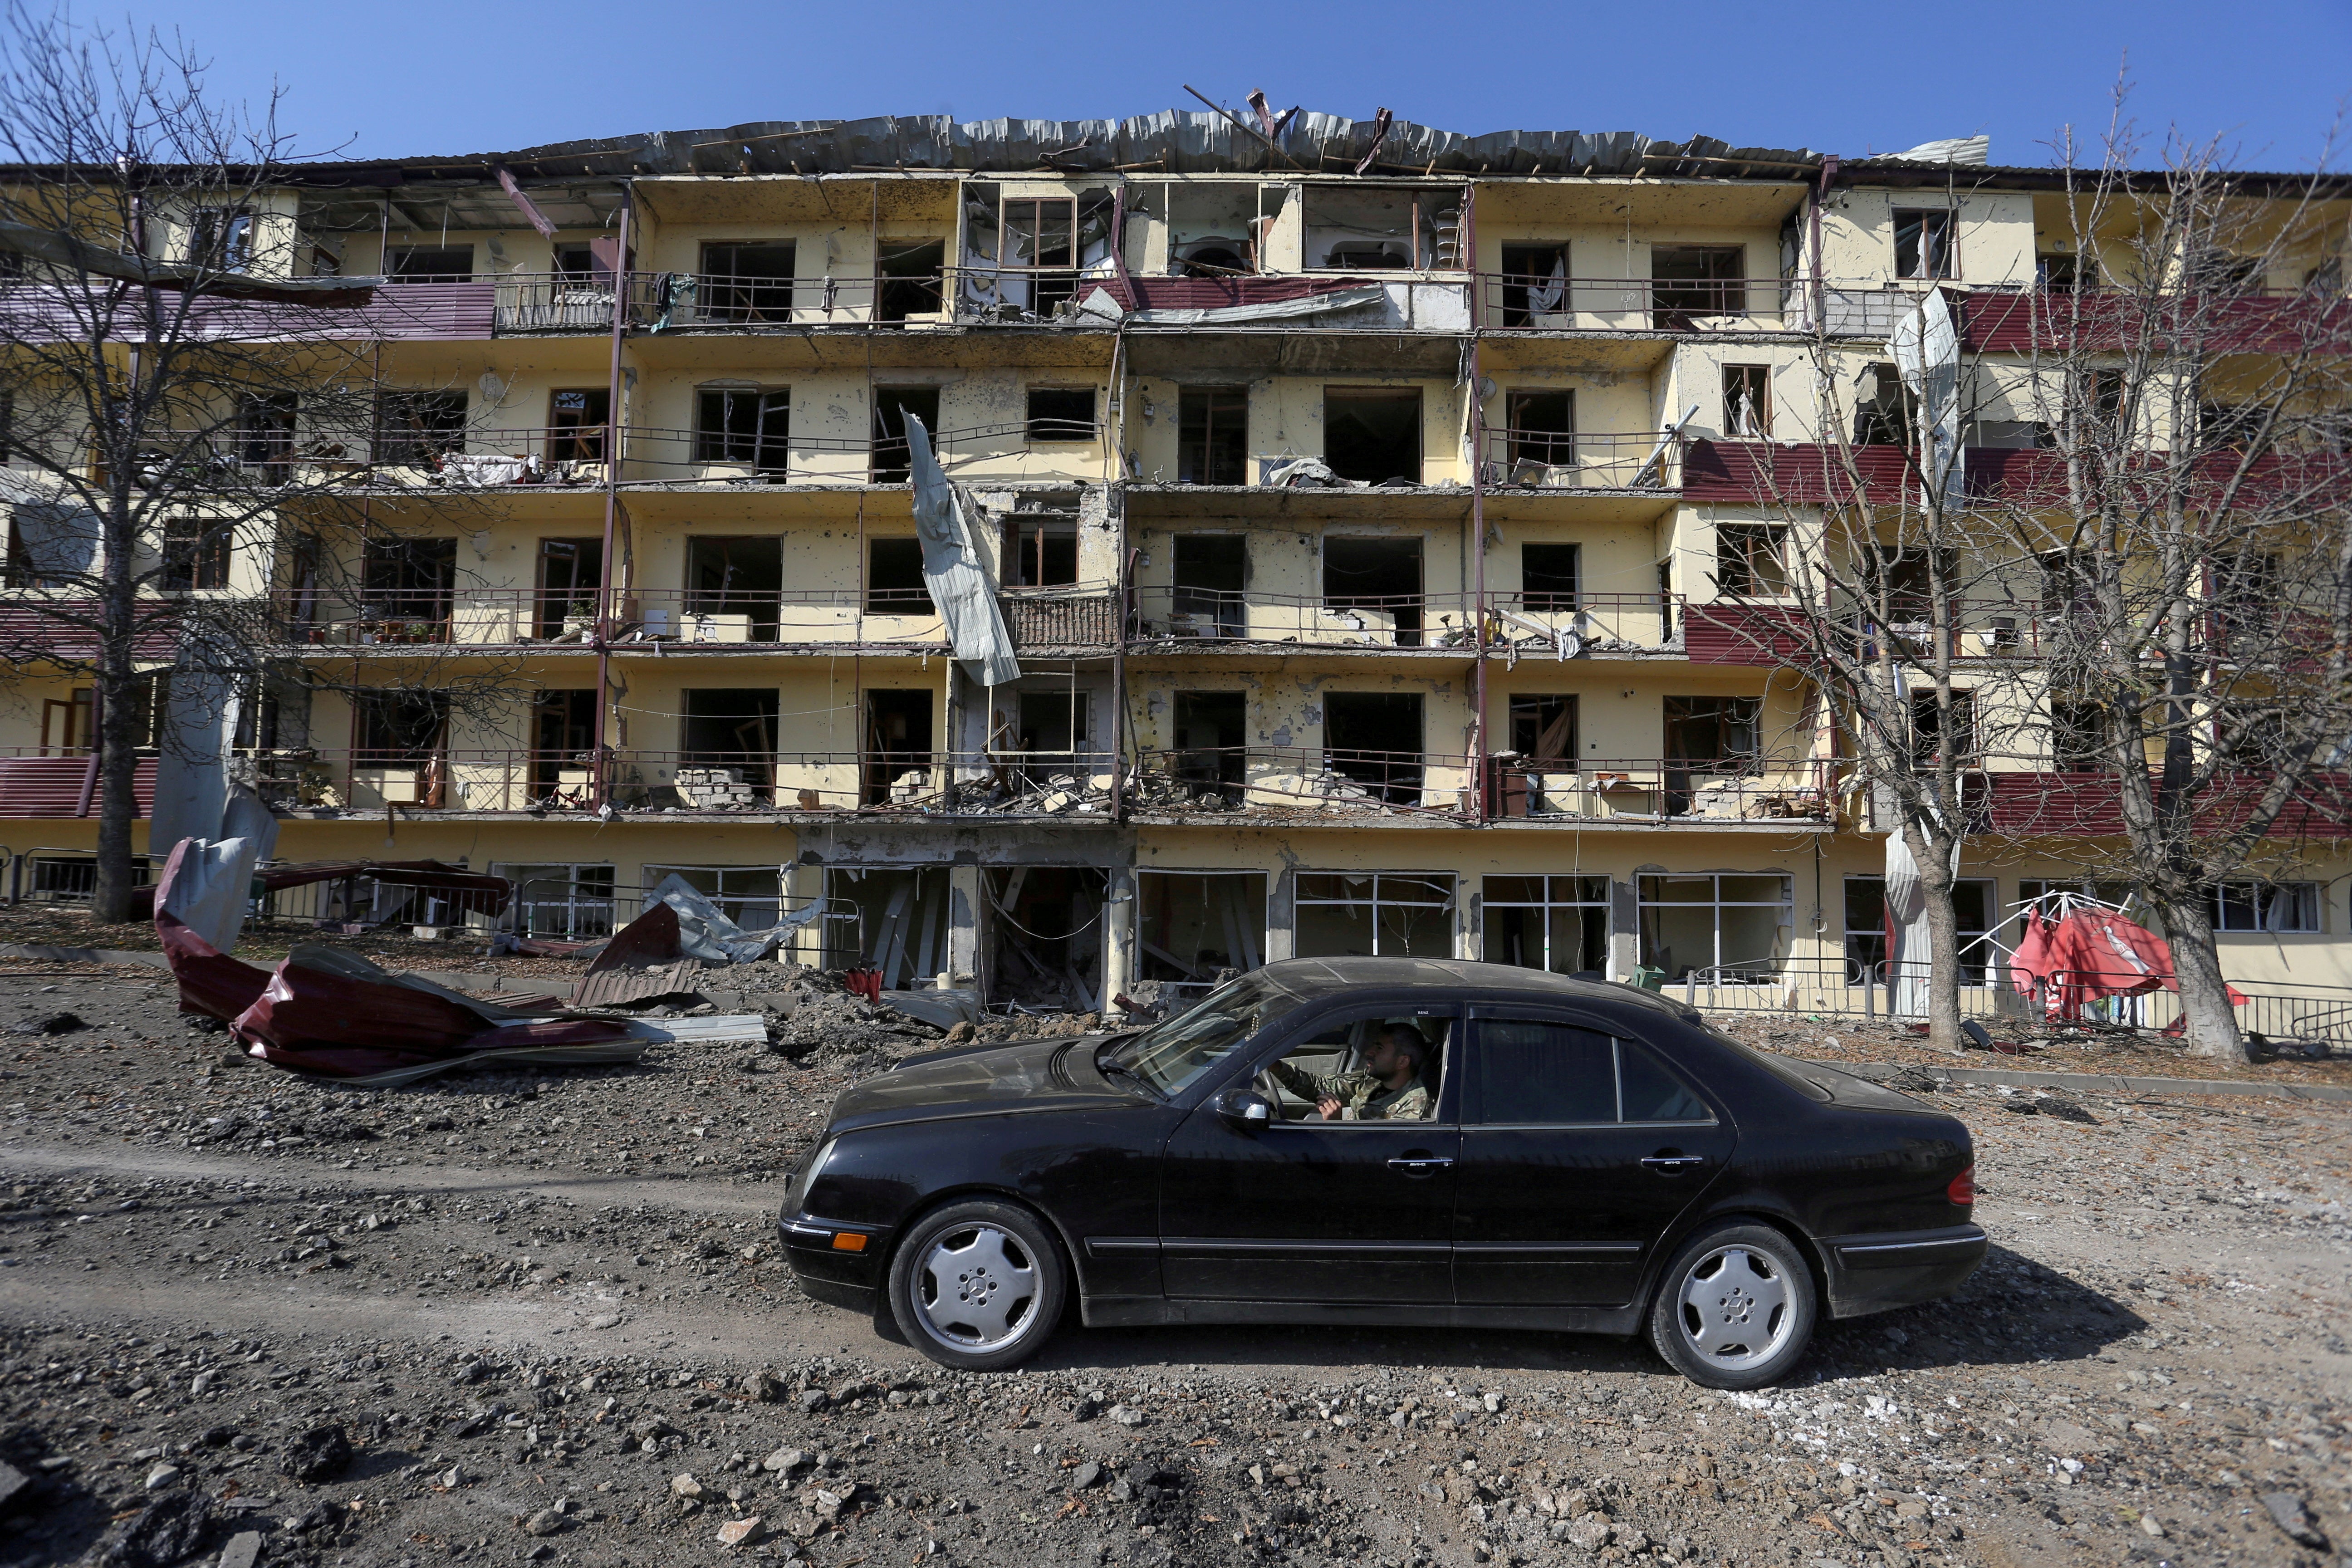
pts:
[980, 1285]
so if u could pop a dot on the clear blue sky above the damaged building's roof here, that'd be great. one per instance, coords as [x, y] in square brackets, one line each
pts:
[432, 76]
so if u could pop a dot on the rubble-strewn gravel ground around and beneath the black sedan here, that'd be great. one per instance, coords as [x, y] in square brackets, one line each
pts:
[542, 1320]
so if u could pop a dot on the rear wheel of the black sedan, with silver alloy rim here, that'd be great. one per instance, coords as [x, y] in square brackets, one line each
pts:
[1735, 1308]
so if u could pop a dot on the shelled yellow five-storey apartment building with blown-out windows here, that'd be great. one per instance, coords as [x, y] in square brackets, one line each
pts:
[1076, 556]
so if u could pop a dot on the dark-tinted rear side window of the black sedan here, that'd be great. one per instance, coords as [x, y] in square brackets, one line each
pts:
[1561, 1076]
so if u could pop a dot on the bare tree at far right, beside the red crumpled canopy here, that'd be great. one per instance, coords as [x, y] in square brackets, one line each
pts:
[2179, 540]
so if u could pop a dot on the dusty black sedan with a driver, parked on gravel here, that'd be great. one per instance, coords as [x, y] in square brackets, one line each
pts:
[1387, 1141]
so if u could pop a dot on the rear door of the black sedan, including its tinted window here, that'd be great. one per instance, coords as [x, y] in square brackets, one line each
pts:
[1579, 1153]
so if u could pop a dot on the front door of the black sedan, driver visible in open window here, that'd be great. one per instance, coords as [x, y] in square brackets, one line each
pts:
[1316, 1212]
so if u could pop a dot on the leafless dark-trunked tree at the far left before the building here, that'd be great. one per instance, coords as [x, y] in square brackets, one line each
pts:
[192, 417]
